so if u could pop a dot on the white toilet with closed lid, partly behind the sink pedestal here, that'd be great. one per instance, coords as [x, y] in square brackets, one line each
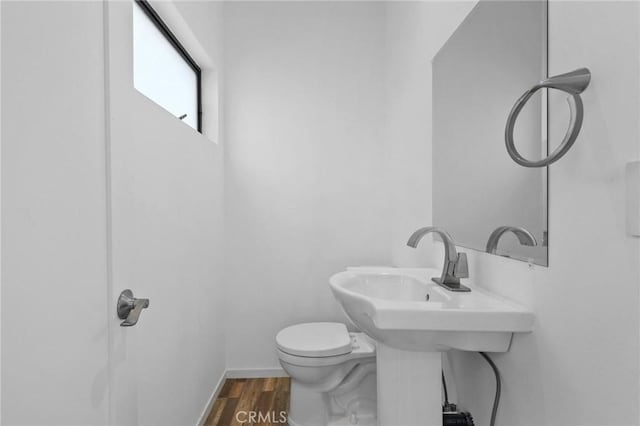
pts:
[333, 374]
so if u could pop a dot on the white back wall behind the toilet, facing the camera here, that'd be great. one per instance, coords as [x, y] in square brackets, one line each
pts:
[306, 193]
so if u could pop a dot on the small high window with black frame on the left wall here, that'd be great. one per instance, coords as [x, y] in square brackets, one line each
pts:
[163, 70]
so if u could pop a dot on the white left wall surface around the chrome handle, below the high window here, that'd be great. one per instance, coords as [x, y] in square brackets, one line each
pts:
[165, 200]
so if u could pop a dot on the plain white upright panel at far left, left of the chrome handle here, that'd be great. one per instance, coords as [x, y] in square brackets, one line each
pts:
[54, 306]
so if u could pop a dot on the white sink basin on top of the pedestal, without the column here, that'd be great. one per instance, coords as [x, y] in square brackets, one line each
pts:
[404, 309]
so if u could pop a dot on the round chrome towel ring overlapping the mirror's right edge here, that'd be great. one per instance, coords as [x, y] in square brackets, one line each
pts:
[573, 83]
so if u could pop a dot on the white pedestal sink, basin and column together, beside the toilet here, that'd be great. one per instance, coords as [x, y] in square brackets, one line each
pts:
[414, 320]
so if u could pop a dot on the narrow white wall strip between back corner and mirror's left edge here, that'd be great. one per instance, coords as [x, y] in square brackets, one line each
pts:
[415, 31]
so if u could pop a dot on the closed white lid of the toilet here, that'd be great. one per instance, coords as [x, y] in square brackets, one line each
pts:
[316, 339]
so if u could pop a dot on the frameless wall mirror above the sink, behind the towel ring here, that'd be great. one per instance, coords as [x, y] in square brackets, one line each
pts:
[480, 195]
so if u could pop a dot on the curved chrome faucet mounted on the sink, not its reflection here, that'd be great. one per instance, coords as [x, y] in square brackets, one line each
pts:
[455, 264]
